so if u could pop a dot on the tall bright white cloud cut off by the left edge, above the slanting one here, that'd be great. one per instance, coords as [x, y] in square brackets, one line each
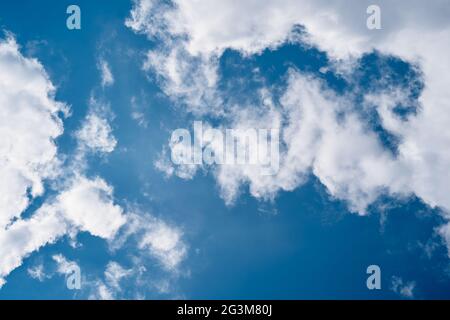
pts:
[29, 123]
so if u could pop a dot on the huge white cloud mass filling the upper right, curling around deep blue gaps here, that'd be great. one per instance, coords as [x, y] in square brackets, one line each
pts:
[346, 157]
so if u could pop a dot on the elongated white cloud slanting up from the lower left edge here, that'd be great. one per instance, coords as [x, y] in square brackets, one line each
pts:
[86, 205]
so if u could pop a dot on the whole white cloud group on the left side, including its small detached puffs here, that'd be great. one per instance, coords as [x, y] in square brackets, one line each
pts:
[29, 124]
